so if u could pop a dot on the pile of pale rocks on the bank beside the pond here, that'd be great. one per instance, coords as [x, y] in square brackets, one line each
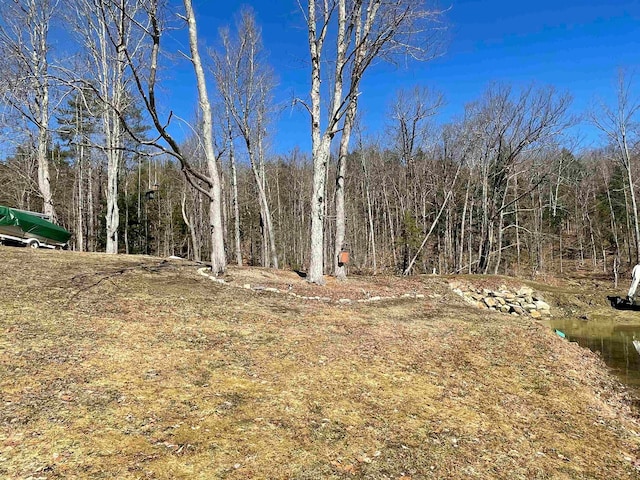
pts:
[523, 301]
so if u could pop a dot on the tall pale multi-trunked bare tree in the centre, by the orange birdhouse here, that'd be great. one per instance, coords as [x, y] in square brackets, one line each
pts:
[363, 31]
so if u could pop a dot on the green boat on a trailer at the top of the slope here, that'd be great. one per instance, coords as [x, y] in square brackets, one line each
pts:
[31, 229]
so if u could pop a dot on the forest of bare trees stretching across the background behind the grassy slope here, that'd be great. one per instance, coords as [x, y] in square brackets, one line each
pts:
[90, 140]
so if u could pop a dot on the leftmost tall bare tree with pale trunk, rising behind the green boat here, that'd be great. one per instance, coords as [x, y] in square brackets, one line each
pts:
[24, 42]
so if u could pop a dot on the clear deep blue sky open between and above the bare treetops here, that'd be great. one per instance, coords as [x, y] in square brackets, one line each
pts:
[574, 45]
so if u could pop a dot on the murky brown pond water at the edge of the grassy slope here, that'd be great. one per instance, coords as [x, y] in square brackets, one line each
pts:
[613, 341]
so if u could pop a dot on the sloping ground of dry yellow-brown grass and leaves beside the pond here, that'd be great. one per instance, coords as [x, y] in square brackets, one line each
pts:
[134, 367]
